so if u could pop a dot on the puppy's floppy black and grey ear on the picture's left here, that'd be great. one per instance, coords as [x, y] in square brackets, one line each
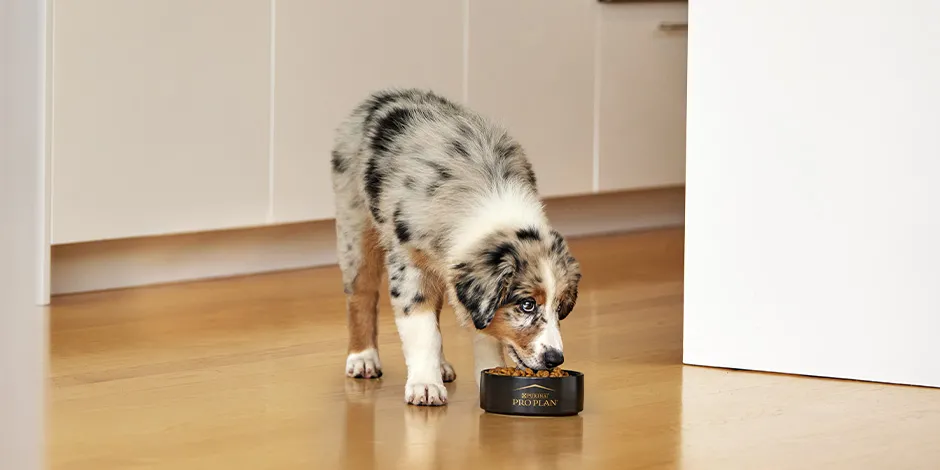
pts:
[482, 288]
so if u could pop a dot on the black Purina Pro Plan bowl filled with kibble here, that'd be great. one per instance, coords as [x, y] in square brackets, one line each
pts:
[532, 396]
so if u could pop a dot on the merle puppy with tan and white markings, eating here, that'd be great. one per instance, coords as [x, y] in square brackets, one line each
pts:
[446, 203]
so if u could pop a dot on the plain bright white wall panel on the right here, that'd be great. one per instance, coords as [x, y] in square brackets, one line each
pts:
[812, 236]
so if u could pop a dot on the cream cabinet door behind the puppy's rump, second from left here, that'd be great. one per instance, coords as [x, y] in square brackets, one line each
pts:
[329, 56]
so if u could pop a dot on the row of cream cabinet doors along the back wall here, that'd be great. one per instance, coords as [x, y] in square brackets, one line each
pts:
[173, 116]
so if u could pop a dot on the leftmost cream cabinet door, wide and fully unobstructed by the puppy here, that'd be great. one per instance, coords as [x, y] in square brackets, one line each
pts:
[160, 116]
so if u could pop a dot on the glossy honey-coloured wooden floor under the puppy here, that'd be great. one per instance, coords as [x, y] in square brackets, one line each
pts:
[248, 374]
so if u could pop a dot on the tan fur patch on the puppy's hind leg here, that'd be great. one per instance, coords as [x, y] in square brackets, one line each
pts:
[363, 302]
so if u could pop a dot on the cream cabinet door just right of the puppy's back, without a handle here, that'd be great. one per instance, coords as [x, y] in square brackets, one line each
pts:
[531, 66]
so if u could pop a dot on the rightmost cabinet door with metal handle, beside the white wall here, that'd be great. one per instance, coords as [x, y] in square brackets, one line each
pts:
[641, 110]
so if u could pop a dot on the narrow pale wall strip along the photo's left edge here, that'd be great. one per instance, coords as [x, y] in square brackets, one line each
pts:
[22, 233]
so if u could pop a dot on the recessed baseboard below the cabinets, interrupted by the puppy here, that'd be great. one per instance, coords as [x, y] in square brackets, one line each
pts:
[113, 264]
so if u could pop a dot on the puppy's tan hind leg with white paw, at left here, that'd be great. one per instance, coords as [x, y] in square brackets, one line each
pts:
[361, 261]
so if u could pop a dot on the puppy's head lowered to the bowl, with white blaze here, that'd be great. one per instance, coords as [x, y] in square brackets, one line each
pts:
[516, 286]
